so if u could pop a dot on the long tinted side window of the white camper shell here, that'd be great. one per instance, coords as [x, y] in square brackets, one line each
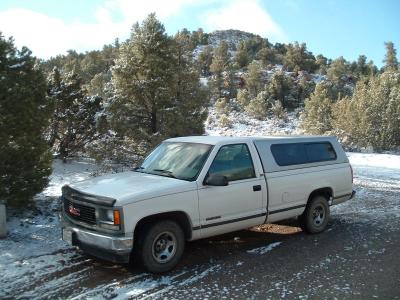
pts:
[288, 154]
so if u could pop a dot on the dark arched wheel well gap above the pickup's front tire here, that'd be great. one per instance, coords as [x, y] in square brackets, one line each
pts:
[178, 216]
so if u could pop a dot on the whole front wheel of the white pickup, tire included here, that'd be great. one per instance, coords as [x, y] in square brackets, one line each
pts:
[161, 246]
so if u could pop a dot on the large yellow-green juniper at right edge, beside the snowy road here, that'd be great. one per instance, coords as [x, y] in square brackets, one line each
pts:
[372, 116]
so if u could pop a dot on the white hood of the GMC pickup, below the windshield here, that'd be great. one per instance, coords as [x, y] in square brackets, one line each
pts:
[128, 187]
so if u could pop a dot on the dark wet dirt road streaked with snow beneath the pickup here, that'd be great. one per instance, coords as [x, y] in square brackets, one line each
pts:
[356, 258]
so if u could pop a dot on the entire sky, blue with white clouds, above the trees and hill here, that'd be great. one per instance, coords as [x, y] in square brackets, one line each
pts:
[330, 27]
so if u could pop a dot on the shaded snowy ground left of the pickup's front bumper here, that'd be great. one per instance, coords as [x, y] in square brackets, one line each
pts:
[34, 246]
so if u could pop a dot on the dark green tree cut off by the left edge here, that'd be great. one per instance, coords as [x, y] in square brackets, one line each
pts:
[25, 160]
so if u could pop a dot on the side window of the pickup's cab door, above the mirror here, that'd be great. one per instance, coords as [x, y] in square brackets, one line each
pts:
[234, 162]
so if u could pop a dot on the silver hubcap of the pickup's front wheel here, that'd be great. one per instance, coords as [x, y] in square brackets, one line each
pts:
[164, 247]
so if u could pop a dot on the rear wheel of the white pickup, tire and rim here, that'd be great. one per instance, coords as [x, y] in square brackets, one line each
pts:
[316, 215]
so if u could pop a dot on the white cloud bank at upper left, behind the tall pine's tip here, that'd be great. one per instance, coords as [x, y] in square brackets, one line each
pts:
[47, 36]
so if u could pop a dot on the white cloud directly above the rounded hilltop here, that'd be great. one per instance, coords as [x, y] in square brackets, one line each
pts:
[246, 15]
